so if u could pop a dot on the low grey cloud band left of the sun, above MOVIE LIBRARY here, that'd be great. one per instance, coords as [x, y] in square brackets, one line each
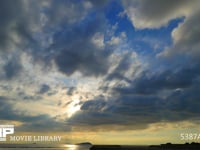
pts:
[40, 122]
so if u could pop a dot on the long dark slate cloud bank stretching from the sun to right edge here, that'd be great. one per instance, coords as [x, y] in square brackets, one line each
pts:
[137, 112]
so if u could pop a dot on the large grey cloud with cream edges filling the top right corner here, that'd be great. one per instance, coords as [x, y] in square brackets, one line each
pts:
[158, 13]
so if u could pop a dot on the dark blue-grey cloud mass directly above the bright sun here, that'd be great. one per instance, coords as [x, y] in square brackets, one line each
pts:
[76, 52]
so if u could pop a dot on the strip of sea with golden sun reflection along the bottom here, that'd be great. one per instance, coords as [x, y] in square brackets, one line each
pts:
[43, 147]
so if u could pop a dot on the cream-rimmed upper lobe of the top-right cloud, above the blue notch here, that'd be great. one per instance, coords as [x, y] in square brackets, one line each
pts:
[157, 13]
